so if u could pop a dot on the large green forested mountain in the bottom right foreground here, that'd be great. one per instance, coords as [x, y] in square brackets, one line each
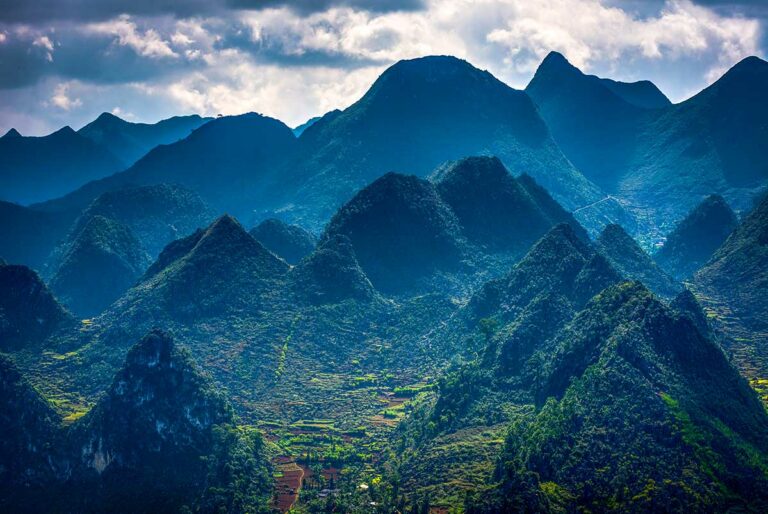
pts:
[639, 412]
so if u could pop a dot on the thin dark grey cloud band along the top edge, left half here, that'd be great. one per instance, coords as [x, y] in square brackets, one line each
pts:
[42, 11]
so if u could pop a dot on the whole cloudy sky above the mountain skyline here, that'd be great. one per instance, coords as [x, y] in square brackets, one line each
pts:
[63, 62]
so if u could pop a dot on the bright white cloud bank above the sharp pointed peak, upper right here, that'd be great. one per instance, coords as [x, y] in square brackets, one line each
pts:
[588, 32]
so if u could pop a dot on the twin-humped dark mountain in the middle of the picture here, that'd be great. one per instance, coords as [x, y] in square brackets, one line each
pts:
[470, 221]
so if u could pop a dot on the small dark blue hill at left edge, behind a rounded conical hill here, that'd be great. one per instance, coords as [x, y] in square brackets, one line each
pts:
[28, 236]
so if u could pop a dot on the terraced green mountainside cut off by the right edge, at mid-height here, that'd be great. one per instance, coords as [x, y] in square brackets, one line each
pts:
[731, 287]
